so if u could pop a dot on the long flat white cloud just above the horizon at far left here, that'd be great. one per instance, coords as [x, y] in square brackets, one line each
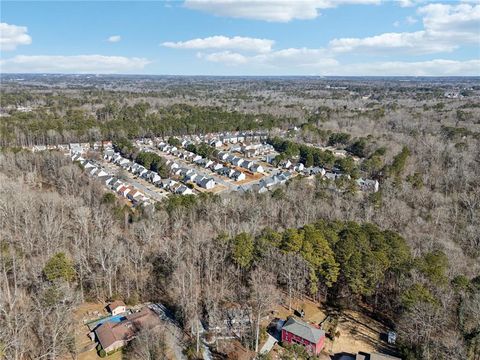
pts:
[96, 64]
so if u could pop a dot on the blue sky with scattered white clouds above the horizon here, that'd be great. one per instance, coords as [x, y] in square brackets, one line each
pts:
[242, 37]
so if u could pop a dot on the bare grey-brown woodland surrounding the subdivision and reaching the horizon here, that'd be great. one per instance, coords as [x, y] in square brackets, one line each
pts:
[184, 257]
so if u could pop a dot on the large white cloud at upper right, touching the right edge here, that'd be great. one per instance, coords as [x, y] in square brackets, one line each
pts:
[446, 27]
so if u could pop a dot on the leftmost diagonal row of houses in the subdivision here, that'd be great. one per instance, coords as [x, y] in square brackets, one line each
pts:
[122, 188]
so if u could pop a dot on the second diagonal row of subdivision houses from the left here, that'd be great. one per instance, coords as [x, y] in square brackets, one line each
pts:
[148, 175]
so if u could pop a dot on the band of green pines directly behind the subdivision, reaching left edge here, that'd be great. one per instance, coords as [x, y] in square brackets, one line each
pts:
[62, 125]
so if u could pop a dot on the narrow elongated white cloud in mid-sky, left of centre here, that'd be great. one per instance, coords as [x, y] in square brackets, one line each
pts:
[224, 42]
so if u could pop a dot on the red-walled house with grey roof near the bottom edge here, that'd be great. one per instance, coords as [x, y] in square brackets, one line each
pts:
[295, 331]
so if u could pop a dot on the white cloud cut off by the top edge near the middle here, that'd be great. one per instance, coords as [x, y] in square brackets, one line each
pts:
[269, 10]
